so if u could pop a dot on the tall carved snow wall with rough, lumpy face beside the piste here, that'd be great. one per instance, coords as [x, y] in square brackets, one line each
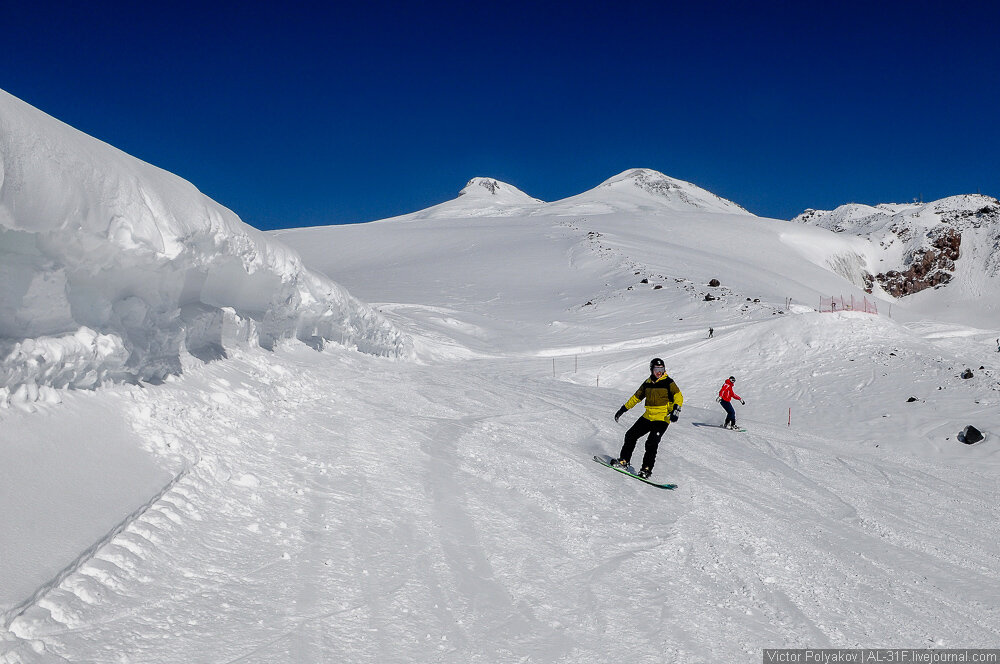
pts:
[114, 270]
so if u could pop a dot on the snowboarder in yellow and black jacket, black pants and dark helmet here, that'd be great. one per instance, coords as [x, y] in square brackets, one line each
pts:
[663, 405]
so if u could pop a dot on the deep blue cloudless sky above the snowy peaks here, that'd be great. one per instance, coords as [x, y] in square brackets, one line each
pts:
[329, 113]
